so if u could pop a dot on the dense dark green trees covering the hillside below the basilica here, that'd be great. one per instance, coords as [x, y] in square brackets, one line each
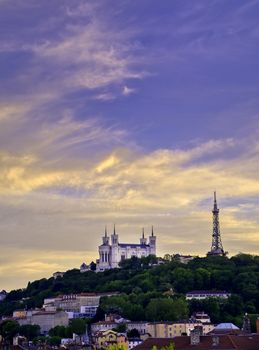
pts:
[157, 292]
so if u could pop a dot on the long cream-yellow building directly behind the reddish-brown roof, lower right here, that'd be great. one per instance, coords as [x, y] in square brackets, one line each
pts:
[170, 329]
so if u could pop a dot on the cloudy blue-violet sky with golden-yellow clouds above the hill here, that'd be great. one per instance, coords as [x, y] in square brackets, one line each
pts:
[125, 112]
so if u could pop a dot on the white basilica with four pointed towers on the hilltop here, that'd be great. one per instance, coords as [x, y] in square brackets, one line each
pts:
[110, 255]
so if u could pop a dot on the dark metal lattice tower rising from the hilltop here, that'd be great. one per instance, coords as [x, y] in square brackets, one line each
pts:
[216, 246]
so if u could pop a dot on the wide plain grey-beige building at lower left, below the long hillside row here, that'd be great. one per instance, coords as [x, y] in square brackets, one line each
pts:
[46, 320]
